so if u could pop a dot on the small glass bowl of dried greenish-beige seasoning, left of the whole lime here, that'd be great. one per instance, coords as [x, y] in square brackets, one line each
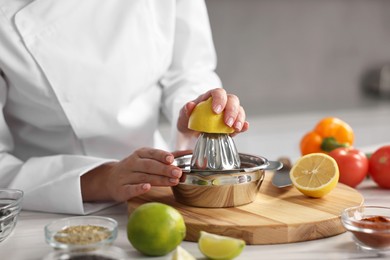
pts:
[81, 234]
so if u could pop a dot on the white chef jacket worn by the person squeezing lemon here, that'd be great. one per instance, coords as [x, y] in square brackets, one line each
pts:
[82, 83]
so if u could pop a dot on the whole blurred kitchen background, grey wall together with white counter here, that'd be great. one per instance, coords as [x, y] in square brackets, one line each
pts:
[293, 62]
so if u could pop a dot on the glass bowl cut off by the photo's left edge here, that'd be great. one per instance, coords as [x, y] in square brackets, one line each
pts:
[10, 206]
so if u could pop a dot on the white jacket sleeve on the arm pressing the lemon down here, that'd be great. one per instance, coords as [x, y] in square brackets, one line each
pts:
[191, 72]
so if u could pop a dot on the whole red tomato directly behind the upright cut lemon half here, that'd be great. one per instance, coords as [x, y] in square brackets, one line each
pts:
[353, 165]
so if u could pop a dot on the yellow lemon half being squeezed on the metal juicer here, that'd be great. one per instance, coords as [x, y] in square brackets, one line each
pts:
[203, 119]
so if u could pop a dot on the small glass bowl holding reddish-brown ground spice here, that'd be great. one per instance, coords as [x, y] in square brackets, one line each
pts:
[370, 226]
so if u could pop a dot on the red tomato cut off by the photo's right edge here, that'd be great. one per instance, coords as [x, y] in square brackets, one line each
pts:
[380, 167]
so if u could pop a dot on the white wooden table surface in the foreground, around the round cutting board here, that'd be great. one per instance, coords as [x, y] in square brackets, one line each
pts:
[27, 240]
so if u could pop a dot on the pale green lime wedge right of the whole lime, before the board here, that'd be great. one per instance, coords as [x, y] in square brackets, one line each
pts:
[220, 247]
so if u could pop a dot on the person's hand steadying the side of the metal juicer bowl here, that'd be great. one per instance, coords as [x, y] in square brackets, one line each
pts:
[130, 177]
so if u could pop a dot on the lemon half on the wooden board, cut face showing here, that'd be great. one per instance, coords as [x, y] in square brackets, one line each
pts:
[315, 174]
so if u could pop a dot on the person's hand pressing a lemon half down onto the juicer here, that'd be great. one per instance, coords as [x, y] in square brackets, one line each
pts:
[234, 113]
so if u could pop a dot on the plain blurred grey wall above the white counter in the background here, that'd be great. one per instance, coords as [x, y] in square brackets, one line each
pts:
[285, 56]
